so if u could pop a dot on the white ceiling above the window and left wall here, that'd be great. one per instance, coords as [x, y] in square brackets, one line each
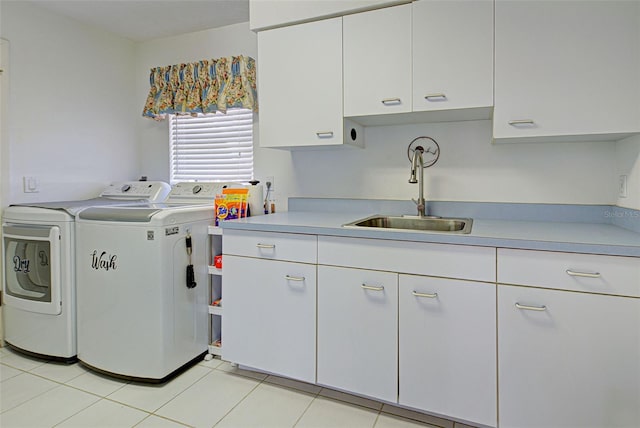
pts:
[142, 20]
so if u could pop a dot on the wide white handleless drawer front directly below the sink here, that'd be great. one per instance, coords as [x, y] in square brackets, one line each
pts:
[453, 261]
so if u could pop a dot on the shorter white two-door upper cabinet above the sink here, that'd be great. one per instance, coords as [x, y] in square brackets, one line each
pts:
[431, 60]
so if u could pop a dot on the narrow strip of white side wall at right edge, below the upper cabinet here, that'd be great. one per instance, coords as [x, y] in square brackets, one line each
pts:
[628, 163]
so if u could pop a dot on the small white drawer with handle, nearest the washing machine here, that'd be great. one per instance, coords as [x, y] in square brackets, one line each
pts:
[269, 245]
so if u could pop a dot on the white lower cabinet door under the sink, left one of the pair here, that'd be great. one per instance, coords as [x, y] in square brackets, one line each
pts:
[358, 331]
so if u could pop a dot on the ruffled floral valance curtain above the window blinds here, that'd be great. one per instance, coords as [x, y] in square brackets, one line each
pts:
[206, 86]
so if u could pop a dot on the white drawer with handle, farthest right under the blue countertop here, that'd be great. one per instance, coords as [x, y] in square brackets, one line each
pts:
[576, 272]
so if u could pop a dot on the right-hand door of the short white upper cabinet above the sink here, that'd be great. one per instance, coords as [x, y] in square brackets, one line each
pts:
[452, 54]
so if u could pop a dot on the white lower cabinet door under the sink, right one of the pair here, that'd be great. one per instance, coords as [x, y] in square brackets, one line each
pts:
[447, 347]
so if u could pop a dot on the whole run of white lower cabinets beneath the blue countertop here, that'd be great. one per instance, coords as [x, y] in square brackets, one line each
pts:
[556, 343]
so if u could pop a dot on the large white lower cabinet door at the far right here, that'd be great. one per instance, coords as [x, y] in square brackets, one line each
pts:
[568, 359]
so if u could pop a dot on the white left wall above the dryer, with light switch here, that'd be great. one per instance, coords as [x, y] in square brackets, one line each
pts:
[71, 114]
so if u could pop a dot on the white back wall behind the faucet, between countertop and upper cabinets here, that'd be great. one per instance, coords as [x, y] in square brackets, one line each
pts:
[470, 168]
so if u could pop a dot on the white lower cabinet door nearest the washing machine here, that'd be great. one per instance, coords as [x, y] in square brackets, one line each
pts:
[270, 316]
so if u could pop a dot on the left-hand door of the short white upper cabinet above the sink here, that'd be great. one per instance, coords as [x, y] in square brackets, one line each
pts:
[377, 62]
